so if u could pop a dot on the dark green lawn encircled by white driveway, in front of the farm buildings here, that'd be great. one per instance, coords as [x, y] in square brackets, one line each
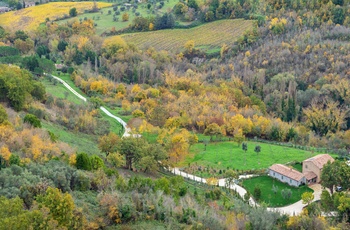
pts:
[267, 195]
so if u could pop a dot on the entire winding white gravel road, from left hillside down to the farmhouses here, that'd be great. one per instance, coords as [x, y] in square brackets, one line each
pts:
[293, 209]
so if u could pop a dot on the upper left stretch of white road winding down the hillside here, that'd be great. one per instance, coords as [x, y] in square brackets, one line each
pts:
[127, 131]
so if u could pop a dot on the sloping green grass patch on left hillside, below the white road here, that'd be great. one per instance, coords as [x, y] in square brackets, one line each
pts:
[82, 142]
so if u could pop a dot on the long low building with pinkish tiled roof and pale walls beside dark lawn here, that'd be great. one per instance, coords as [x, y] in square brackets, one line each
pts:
[287, 175]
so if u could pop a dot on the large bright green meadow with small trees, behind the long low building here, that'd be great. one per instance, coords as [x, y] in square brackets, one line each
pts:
[221, 155]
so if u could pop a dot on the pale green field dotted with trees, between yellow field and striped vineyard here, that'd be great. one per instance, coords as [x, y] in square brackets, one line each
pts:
[105, 21]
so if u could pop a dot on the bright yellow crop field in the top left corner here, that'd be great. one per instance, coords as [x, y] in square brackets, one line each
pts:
[31, 17]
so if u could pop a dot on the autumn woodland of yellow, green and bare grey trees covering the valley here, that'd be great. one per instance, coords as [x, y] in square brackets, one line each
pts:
[286, 80]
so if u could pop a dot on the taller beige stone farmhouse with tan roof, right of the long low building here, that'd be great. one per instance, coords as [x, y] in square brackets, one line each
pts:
[312, 167]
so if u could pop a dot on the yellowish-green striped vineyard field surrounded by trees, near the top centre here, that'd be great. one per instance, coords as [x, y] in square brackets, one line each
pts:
[210, 35]
